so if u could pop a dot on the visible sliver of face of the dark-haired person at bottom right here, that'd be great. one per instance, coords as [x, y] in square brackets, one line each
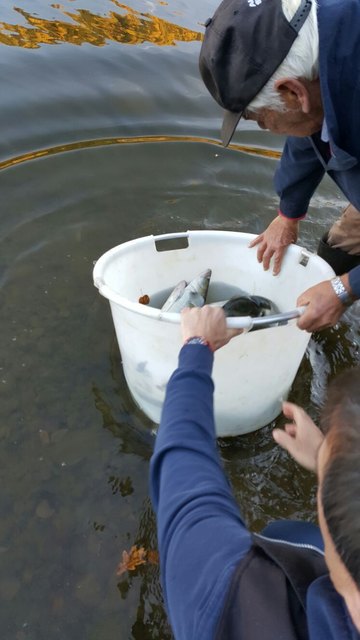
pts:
[340, 577]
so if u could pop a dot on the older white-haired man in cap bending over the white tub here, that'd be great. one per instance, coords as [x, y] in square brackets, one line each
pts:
[293, 66]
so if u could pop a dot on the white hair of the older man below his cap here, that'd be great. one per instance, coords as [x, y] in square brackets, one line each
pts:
[302, 60]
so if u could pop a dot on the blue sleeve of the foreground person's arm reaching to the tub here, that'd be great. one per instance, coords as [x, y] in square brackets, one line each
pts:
[201, 536]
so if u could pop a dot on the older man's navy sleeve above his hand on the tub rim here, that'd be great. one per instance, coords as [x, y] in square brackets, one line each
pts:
[297, 176]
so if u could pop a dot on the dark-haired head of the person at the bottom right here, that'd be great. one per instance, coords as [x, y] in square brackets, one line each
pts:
[339, 487]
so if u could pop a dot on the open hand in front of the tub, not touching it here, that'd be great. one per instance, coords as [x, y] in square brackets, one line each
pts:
[301, 438]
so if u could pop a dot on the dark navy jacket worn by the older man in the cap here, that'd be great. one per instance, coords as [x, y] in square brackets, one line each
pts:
[305, 160]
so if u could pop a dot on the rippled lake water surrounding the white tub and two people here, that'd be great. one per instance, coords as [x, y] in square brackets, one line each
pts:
[107, 134]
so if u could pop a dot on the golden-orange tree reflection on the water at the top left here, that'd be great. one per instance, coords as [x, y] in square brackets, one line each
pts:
[131, 27]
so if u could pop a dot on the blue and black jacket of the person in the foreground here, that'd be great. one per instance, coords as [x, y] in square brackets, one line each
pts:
[219, 581]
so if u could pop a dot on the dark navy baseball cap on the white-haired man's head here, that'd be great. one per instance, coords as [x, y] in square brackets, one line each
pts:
[244, 43]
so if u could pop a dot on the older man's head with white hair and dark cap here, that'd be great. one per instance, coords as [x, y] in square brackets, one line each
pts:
[259, 60]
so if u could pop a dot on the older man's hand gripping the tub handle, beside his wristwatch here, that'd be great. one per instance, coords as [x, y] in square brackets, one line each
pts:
[323, 307]
